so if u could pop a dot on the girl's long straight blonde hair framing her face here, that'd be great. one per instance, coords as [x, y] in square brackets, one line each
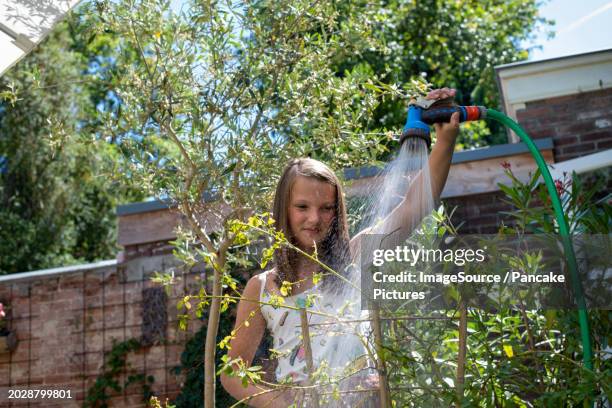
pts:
[334, 250]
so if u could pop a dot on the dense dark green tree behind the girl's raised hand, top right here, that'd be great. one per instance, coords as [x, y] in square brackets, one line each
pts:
[449, 43]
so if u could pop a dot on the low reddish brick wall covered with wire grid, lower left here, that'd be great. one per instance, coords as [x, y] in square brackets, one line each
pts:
[66, 323]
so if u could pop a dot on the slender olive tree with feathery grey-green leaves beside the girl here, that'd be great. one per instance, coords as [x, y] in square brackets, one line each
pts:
[216, 96]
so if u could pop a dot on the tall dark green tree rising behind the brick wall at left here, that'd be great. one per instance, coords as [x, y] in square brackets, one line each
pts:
[58, 189]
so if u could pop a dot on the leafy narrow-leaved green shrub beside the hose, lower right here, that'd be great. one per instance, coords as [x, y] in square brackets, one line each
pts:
[516, 356]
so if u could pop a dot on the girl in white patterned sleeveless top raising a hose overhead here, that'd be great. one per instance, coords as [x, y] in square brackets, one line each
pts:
[309, 209]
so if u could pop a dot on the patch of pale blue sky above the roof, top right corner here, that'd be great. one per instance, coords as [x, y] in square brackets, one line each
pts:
[581, 26]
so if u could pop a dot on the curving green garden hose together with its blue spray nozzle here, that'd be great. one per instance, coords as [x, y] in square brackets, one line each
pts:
[425, 112]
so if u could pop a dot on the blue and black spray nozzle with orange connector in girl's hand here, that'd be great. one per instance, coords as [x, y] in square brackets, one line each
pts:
[425, 112]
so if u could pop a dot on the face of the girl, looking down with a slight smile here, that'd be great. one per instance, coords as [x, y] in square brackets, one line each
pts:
[312, 209]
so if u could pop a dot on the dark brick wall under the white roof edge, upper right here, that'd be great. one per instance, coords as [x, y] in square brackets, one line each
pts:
[579, 124]
